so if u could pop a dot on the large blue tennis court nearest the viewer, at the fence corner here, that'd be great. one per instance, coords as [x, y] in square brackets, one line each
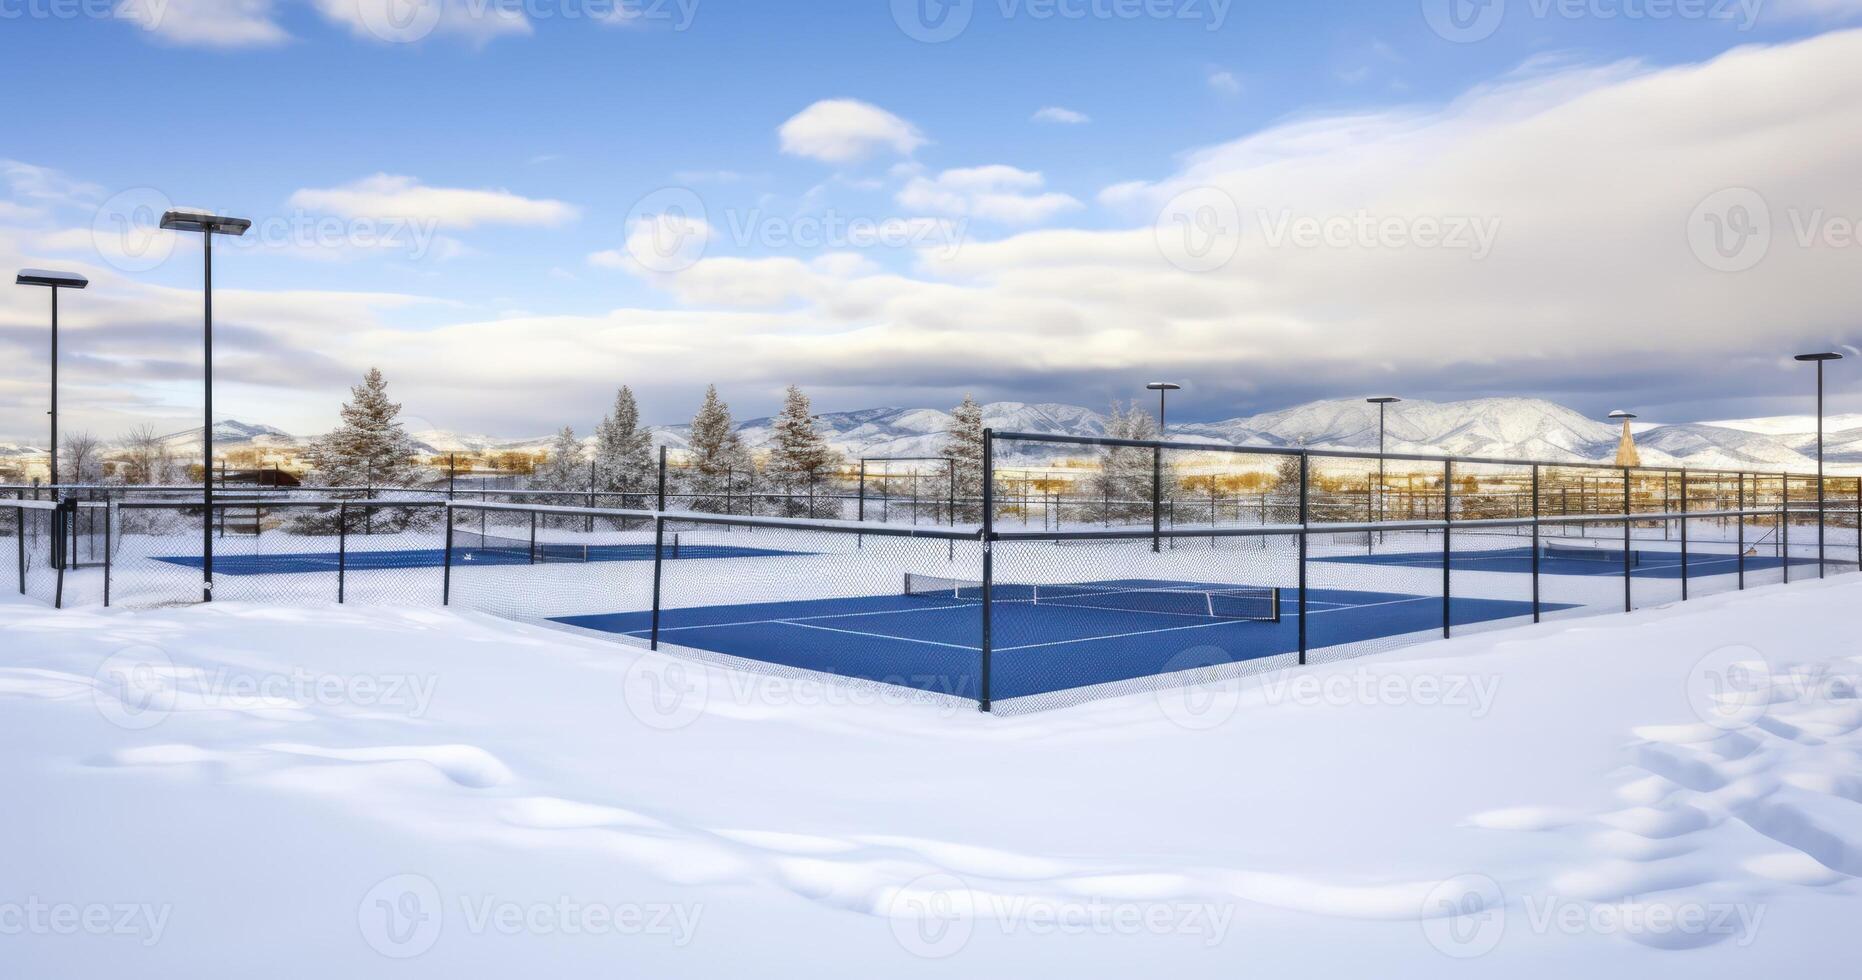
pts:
[934, 642]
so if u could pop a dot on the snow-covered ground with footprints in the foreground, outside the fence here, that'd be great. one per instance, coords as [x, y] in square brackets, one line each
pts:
[325, 791]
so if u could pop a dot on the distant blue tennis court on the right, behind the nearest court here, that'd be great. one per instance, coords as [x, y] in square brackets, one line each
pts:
[1578, 560]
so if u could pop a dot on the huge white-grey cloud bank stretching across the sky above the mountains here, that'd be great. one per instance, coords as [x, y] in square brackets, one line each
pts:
[1593, 280]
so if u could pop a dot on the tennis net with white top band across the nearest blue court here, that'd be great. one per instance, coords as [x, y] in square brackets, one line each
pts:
[1239, 603]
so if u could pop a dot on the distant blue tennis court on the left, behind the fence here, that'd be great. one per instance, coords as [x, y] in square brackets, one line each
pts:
[463, 558]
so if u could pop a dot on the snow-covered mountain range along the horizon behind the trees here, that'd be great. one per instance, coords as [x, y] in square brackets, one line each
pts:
[1481, 428]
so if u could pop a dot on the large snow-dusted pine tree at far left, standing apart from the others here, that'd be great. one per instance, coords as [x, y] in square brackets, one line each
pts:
[368, 450]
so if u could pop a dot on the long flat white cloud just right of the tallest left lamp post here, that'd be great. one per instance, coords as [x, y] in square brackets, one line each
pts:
[392, 197]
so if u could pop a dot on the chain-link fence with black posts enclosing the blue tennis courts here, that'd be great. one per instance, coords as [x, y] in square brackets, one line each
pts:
[1083, 569]
